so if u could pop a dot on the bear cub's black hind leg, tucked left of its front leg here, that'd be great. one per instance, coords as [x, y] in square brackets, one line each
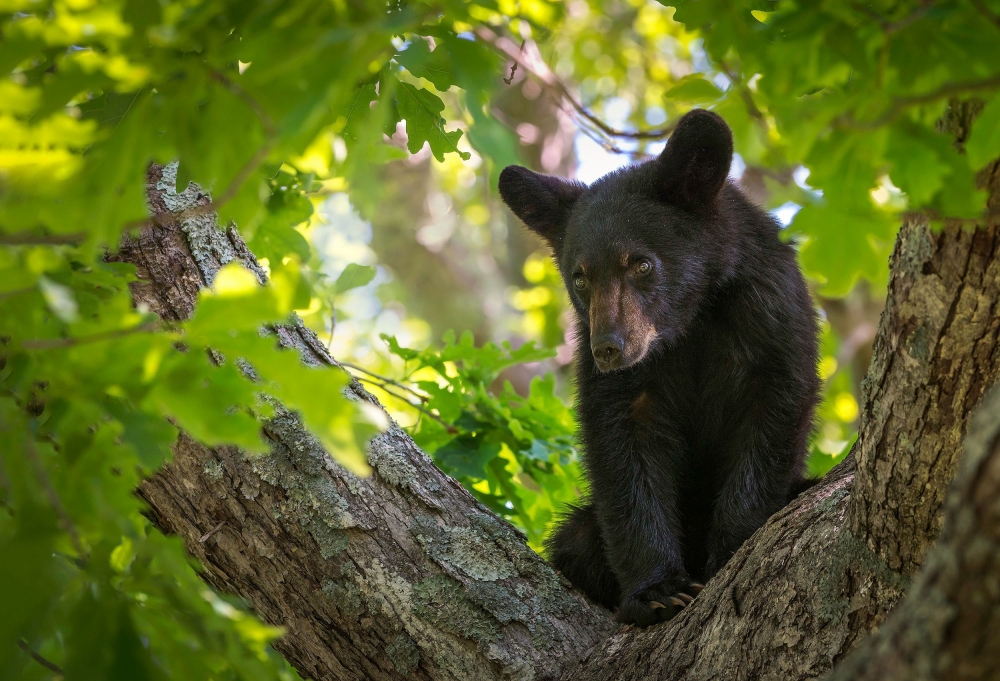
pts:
[576, 549]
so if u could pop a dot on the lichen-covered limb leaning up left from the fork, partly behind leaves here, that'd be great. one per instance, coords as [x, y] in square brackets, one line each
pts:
[399, 575]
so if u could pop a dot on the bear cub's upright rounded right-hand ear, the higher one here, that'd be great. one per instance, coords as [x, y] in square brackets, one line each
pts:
[695, 164]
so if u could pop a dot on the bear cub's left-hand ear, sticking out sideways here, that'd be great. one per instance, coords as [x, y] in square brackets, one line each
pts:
[542, 202]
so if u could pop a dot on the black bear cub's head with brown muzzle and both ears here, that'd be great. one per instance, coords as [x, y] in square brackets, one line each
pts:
[641, 247]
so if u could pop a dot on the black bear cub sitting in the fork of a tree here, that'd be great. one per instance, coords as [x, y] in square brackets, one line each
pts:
[695, 367]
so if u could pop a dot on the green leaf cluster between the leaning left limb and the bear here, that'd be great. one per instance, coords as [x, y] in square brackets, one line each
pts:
[515, 453]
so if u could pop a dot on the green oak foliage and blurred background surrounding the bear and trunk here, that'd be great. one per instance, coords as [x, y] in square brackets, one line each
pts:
[356, 146]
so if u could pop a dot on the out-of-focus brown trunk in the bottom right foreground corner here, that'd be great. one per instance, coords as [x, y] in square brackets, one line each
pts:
[948, 625]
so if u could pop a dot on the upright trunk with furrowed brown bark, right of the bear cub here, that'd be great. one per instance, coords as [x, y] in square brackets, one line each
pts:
[935, 354]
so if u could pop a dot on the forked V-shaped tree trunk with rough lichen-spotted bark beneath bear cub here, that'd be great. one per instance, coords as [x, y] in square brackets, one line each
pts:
[404, 575]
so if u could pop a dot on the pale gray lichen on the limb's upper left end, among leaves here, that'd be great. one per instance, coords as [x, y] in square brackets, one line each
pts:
[209, 245]
